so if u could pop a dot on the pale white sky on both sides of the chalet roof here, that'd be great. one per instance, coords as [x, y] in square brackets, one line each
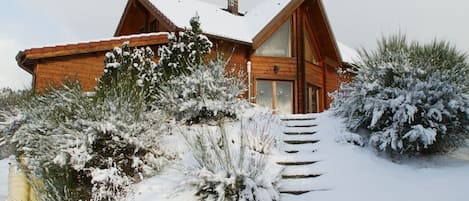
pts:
[357, 23]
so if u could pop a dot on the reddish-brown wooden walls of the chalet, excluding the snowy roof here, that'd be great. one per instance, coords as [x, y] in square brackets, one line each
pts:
[301, 78]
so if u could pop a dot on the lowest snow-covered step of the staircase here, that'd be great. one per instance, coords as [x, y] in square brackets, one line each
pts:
[297, 185]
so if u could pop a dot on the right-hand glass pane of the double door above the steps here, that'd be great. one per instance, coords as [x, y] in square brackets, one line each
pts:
[284, 98]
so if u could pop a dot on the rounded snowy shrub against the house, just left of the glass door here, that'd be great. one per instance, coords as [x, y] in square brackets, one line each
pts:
[207, 93]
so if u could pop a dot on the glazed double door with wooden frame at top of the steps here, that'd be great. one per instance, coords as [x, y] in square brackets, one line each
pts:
[277, 95]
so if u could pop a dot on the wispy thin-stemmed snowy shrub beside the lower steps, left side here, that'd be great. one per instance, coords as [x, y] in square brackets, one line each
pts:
[226, 167]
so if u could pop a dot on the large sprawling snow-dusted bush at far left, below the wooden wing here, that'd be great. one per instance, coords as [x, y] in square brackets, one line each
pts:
[66, 135]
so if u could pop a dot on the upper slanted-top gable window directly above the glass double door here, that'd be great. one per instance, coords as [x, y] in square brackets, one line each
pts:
[279, 44]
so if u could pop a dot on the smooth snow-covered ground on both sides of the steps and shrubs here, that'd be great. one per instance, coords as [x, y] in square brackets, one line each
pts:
[355, 173]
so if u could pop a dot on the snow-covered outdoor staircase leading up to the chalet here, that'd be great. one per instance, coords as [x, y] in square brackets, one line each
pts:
[302, 173]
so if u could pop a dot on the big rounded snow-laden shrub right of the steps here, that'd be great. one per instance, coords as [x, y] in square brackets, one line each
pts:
[410, 96]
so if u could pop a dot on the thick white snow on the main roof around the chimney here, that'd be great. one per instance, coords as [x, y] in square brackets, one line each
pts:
[216, 21]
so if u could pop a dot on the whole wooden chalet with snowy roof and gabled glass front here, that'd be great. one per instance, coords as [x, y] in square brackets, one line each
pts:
[286, 47]
